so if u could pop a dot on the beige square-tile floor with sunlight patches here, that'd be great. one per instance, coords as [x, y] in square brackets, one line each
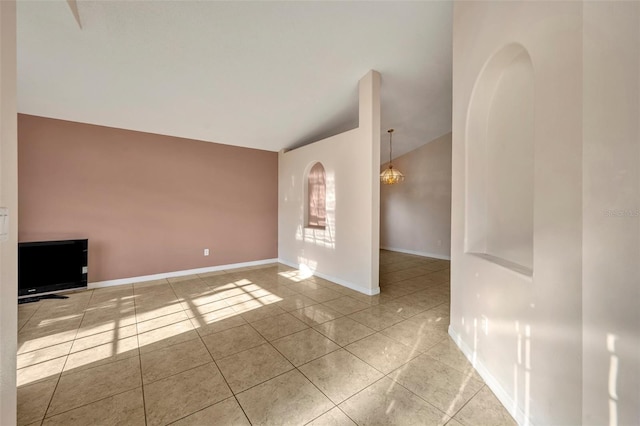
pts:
[261, 345]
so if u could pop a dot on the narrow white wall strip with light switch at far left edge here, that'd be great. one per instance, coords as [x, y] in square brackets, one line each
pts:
[8, 198]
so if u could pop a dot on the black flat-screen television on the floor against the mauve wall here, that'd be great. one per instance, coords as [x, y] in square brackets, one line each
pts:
[46, 267]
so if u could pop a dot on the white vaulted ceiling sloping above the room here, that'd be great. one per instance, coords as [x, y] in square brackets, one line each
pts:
[266, 75]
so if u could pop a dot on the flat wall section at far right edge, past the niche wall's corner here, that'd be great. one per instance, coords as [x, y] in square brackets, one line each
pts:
[611, 215]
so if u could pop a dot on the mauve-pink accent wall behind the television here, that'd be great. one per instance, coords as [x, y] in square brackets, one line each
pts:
[147, 203]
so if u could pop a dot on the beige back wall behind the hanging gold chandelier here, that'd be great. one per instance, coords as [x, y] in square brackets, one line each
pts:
[415, 215]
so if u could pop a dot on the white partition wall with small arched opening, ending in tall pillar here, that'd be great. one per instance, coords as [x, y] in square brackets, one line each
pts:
[347, 251]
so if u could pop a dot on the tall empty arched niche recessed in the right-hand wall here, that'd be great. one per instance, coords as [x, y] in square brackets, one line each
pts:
[500, 160]
